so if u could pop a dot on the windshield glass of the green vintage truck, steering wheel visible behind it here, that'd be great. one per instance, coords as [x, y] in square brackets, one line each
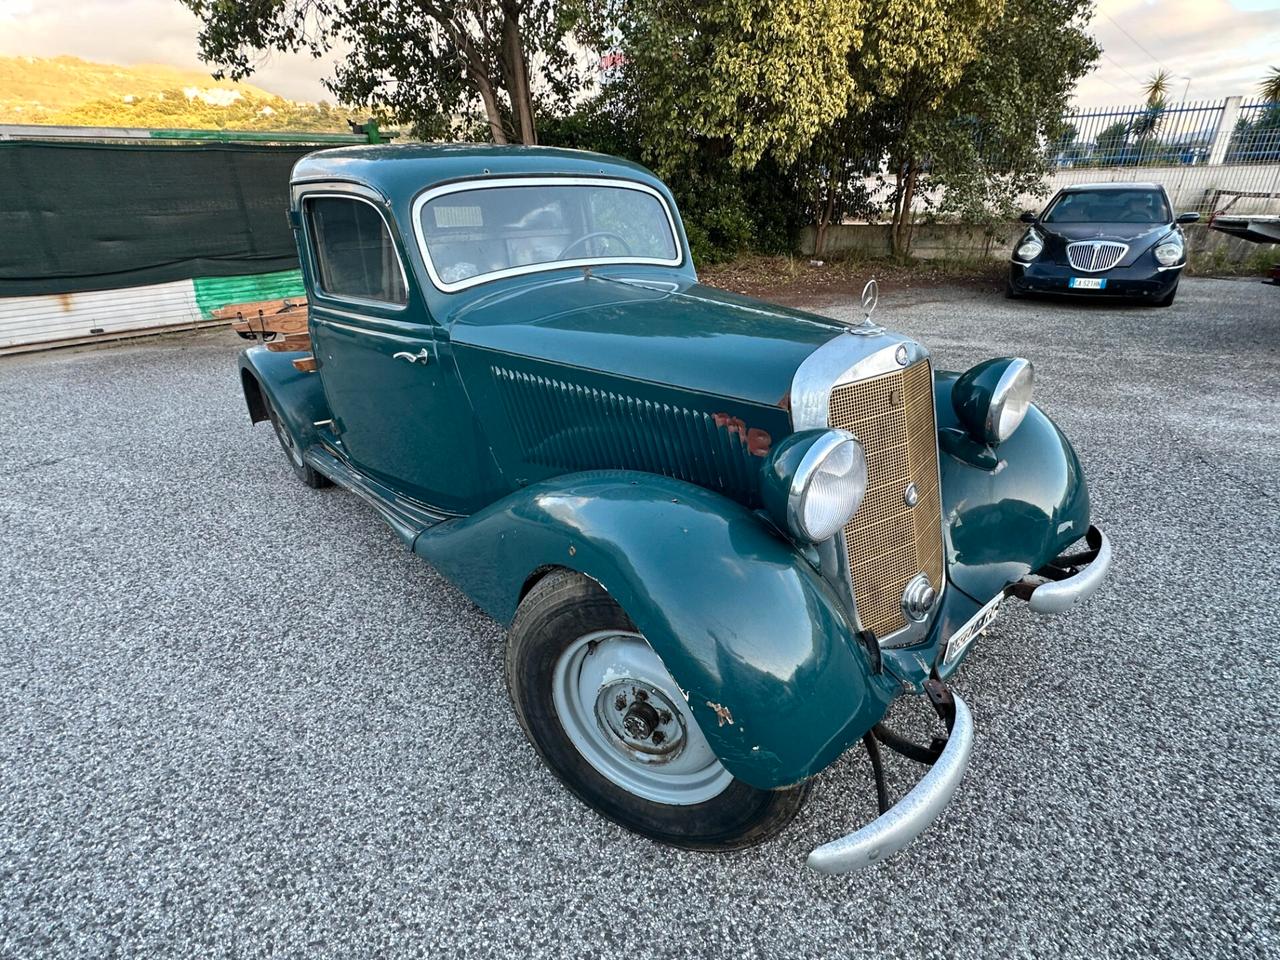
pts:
[478, 234]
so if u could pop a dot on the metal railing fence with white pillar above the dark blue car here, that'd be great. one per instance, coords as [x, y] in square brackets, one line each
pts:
[1164, 135]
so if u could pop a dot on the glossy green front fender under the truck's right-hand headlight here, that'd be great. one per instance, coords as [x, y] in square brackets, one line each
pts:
[1012, 509]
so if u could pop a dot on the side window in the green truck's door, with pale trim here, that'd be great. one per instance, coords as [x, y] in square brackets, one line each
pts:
[354, 252]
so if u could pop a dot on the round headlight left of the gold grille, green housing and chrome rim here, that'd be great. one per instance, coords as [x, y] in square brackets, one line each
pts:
[815, 482]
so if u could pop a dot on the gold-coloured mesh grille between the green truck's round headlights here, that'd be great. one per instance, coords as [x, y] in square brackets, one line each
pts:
[889, 543]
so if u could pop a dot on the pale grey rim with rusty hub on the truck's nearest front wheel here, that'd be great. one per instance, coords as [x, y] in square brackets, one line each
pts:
[625, 715]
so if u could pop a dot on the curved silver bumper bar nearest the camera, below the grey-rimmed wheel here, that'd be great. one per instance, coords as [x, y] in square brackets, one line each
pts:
[909, 817]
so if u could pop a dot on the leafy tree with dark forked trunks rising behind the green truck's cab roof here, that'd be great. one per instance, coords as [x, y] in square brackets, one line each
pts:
[422, 62]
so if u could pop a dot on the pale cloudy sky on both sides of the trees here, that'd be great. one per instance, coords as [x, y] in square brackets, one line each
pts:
[1224, 47]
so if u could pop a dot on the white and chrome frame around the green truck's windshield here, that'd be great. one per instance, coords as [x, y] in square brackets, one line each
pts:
[499, 182]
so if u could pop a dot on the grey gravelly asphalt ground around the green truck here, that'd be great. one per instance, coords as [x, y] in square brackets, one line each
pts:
[240, 720]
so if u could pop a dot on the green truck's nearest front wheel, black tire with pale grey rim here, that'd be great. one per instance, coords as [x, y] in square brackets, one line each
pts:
[601, 708]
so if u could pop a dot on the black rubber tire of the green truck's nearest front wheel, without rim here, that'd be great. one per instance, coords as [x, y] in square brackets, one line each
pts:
[563, 607]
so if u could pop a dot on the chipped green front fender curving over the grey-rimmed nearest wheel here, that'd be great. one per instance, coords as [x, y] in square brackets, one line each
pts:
[748, 629]
